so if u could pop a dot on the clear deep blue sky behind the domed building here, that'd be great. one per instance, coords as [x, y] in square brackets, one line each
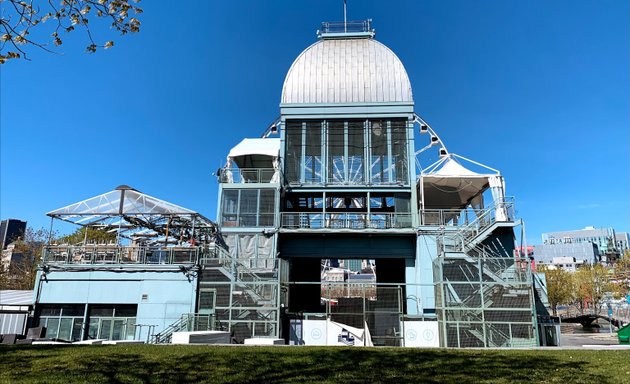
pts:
[538, 89]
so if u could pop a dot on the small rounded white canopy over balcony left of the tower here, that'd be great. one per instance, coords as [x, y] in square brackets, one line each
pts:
[255, 153]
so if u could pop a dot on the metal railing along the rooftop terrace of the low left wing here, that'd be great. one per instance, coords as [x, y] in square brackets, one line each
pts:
[117, 254]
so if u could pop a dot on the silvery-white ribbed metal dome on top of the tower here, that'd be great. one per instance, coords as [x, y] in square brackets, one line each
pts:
[359, 70]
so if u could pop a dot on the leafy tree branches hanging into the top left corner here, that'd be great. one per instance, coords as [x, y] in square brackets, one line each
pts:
[19, 17]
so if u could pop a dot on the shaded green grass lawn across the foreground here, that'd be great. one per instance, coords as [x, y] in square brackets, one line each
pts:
[245, 364]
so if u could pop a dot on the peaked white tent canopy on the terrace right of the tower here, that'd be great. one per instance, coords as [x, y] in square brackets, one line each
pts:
[447, 184]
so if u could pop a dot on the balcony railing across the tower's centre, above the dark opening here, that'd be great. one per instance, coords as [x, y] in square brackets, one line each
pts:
[345, 220]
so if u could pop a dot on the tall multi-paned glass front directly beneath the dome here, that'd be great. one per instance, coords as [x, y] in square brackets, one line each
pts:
[334, 152]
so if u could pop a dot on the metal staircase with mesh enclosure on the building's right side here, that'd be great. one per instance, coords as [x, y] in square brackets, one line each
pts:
[486, 293]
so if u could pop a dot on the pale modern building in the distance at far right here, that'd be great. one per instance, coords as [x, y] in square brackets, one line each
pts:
[603, 238]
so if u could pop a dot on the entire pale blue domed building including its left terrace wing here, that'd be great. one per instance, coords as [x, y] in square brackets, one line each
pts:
[348, 222]
